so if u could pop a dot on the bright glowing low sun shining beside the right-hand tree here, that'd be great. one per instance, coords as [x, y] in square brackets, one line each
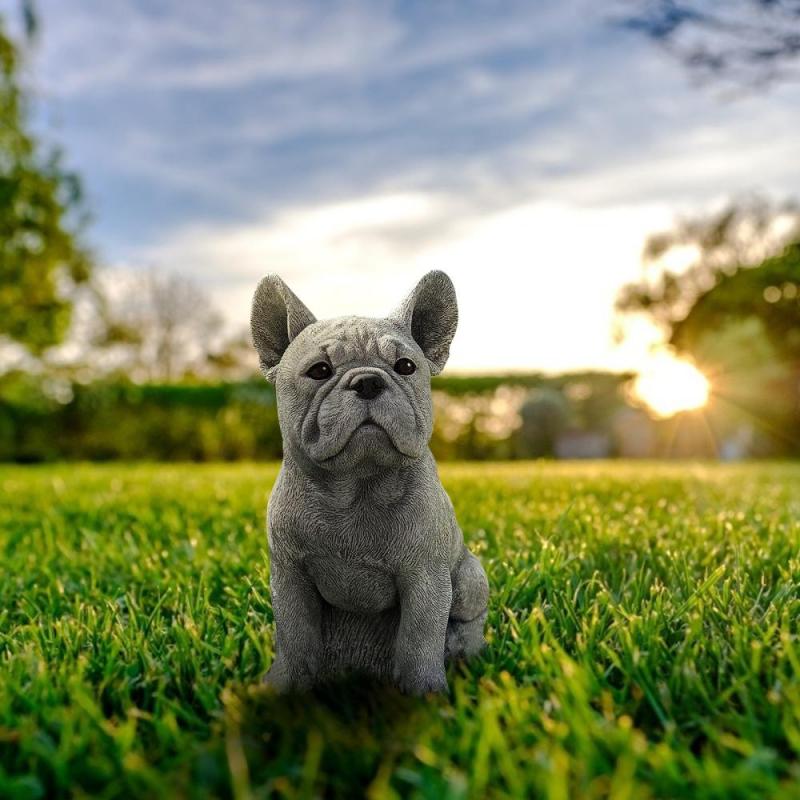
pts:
[669, 385]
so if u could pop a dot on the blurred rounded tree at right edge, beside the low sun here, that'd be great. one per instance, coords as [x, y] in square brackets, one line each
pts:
[736, 311]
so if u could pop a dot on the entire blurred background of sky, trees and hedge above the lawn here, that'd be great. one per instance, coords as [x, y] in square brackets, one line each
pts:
[611, 187]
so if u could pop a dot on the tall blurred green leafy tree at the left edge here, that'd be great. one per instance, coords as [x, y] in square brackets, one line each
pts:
[41, 257]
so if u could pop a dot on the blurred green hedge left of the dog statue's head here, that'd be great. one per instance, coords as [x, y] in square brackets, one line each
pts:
[104, 421]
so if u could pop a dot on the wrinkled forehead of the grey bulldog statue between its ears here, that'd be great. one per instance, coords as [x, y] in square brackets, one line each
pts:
[349, 339]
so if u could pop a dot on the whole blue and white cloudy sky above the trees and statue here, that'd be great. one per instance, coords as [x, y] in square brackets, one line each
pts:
[527, 149]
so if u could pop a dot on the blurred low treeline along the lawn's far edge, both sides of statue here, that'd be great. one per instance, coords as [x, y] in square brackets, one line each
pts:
[578, 415]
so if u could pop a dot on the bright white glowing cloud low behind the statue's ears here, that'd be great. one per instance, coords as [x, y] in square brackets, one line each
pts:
[536, 282]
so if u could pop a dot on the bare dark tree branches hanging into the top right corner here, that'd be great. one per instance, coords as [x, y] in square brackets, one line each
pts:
[741, 41]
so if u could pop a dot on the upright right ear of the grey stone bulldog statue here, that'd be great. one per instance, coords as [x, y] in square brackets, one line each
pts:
[430, 314]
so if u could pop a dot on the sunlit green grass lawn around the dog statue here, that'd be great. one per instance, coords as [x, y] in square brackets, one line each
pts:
[643, 641]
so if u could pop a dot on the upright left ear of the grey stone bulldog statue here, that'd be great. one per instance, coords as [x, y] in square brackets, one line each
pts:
[276, 318]
